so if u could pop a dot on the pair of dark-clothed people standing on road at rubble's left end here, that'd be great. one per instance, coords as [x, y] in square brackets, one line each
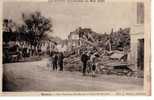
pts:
[56, 60]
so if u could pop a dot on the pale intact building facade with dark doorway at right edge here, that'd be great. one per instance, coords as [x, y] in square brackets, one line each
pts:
[137, 38]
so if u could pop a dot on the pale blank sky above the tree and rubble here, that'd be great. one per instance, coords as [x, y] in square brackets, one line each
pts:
[66, 18]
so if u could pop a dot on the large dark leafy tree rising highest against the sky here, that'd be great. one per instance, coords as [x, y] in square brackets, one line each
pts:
[35, 27]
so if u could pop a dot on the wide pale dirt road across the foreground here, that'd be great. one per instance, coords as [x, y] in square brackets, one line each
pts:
[35, 76]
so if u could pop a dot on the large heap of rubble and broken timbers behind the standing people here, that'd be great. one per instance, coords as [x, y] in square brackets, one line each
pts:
[102, 44]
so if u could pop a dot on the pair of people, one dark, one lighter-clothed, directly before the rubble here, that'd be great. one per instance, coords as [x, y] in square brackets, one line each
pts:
[88, 60]
